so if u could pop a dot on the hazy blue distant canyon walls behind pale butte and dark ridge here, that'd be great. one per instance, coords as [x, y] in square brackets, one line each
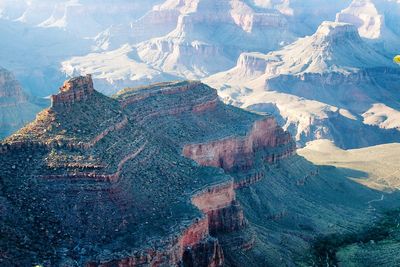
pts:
[144, 42]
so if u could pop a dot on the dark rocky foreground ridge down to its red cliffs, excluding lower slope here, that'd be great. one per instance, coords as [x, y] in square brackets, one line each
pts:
[118, 164]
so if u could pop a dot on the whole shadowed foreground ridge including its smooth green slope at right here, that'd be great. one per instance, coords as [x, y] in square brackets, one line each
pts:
[162, 177]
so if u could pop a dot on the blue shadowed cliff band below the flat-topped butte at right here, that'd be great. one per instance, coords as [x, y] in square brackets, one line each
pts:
[366, 86]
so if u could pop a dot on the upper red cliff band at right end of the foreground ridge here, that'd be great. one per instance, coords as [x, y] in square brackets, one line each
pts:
[239, 152]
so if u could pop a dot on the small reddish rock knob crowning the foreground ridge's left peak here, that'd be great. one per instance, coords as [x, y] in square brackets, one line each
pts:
[73, 90]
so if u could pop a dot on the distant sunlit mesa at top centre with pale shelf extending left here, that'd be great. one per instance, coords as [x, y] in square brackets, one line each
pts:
[178, 40]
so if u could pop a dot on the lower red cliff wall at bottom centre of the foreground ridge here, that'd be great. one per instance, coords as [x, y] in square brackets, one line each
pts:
[194, 246]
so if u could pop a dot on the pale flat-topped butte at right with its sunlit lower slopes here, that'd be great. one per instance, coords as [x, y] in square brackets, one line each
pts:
[316, 87]
